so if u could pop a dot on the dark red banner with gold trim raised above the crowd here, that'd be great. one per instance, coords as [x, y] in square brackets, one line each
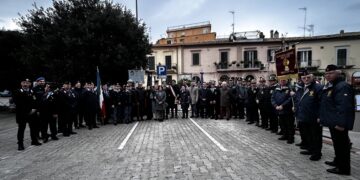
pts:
[286, 65]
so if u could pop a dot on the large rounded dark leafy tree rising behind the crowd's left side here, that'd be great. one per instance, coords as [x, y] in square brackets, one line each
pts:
[68, 40]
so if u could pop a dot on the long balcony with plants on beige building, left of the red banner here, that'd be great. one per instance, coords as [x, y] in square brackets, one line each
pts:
[238, 66]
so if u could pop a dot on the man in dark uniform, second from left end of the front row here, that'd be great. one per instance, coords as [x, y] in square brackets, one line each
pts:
[48, 114]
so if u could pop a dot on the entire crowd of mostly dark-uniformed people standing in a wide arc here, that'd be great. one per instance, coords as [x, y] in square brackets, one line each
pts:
[275, 106]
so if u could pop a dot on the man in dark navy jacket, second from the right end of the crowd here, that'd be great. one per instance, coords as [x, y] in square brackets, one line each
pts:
[307, 113]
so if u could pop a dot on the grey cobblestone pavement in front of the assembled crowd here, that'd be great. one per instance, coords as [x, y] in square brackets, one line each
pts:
[173, 149]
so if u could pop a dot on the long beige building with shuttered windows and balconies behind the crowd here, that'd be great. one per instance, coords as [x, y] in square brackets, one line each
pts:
[222, 59]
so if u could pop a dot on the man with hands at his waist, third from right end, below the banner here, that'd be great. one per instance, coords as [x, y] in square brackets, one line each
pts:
[282, 102]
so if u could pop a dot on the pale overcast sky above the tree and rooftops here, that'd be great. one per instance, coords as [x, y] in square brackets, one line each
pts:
[327, 16]
